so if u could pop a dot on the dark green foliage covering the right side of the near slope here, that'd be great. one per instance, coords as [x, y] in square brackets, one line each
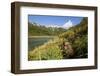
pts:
[77, 36]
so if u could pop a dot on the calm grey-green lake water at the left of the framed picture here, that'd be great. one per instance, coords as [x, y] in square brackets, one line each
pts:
[37, 41]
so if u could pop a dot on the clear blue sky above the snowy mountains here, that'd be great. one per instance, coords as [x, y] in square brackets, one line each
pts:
[55, 20]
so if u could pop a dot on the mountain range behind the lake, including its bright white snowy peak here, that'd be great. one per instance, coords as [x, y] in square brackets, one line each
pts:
[35, 29]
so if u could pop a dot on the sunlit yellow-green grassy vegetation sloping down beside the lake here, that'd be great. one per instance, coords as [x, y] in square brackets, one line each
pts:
[48, 51]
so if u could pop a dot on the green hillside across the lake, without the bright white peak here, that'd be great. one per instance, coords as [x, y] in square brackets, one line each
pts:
[39, 30]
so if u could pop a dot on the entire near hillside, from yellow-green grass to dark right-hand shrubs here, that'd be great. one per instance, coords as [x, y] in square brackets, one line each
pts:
[72, 43]
